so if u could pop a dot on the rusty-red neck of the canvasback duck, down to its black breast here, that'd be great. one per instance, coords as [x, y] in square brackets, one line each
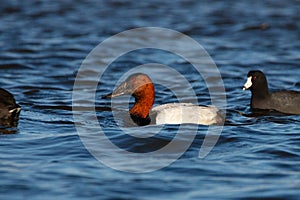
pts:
[143, 104]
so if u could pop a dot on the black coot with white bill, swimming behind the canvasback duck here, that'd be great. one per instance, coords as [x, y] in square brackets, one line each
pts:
[282, 101]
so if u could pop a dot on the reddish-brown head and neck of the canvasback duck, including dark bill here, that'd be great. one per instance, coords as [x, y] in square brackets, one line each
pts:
[140, 86]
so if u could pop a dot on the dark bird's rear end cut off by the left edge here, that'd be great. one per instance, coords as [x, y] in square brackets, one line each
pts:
[9, 110]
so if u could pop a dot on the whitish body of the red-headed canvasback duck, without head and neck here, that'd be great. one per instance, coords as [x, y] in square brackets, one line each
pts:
[186, 113]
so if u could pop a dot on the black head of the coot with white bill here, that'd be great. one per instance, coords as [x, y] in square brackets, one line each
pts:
[256, 82]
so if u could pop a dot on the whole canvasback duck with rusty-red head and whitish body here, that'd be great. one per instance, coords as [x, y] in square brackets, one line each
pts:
[140, 86]
